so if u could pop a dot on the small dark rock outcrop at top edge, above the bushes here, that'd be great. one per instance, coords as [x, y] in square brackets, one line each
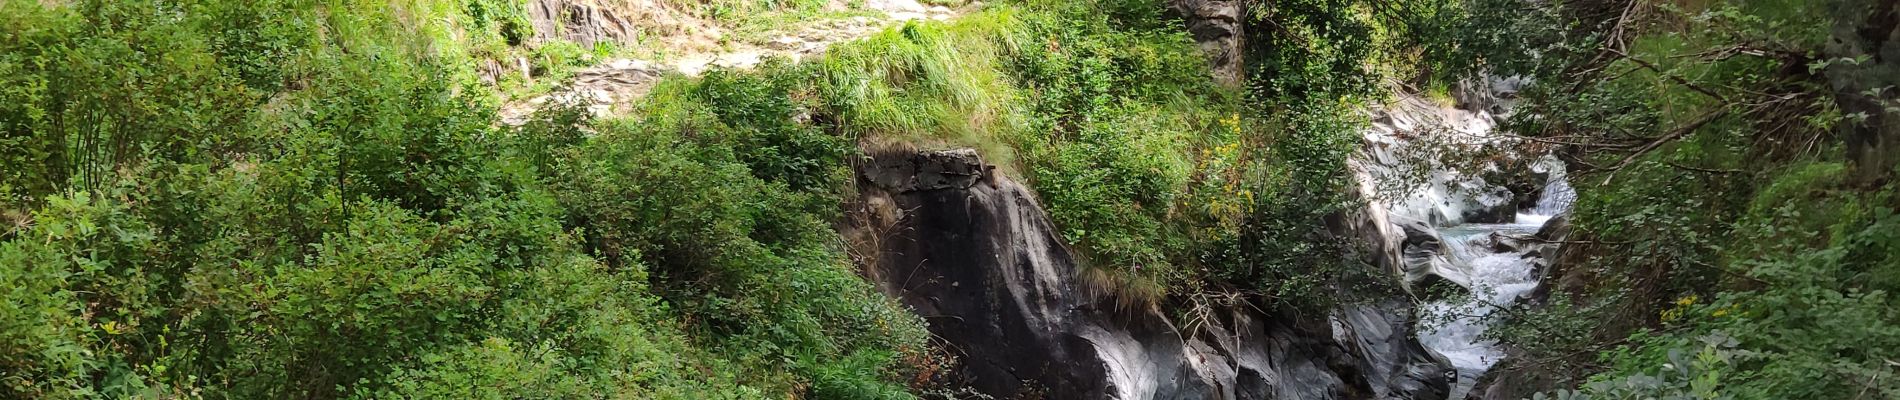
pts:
[1217, 27]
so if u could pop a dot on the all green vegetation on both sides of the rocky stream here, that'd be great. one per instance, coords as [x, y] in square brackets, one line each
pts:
[313, 198]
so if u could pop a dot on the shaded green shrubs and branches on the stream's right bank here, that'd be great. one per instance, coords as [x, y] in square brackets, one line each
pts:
[1736, 219]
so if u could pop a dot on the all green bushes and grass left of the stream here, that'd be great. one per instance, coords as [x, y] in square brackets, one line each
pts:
[311, 198]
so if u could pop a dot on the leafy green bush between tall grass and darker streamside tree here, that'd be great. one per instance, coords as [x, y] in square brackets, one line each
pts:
[1114, 141]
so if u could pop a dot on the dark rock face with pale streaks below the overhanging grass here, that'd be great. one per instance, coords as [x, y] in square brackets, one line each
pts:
[981, 263]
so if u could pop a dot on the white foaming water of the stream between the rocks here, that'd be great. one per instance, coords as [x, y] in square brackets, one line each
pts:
[1500, 276]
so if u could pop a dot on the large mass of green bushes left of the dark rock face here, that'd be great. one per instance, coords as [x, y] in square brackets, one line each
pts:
[307, 200]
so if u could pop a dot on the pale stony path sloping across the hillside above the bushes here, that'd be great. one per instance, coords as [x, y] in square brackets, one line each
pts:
[611, 86]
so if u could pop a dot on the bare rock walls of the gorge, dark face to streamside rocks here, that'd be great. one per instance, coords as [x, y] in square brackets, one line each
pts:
[974, 253]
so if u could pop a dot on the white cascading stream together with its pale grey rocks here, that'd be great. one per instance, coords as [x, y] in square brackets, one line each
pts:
[1441, 219]
